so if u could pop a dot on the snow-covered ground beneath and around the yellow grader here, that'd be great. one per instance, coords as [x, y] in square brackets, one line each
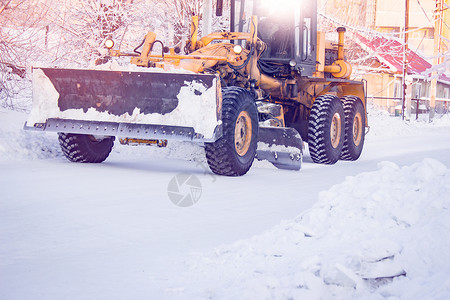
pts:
[371, 229]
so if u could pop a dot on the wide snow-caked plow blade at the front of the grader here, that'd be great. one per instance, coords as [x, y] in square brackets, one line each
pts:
[132, 104]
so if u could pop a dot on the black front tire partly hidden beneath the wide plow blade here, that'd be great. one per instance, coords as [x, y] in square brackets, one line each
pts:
[85, 148]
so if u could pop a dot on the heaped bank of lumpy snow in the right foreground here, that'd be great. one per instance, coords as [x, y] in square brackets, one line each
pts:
[383, 234]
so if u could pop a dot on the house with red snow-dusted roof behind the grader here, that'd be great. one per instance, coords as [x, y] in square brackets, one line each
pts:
[384, 72]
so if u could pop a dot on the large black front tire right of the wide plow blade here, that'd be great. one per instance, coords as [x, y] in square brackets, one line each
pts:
[222, 156]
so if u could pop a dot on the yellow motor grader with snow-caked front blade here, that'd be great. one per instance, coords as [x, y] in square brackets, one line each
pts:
[243, 94]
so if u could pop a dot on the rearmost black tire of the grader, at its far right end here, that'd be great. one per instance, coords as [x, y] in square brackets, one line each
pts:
[355, 119]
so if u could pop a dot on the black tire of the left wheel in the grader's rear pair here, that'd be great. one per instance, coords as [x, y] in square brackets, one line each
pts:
[321, 148]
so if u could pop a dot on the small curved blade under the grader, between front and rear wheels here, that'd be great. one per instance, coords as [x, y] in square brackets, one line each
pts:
[282, 146]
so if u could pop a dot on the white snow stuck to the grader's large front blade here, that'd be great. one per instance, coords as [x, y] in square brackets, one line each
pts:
[197, 108]
